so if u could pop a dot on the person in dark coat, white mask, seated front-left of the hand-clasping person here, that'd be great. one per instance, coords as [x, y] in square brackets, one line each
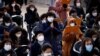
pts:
[37, 43]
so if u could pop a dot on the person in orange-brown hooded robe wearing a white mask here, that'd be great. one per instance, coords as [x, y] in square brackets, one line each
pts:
[71, 33]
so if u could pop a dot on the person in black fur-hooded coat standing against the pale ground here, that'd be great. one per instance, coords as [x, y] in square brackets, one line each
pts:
[31, 17]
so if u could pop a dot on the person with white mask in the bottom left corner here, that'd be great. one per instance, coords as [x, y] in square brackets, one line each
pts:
[7, 49]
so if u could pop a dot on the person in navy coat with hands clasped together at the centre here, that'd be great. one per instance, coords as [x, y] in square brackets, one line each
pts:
[52, 32]
